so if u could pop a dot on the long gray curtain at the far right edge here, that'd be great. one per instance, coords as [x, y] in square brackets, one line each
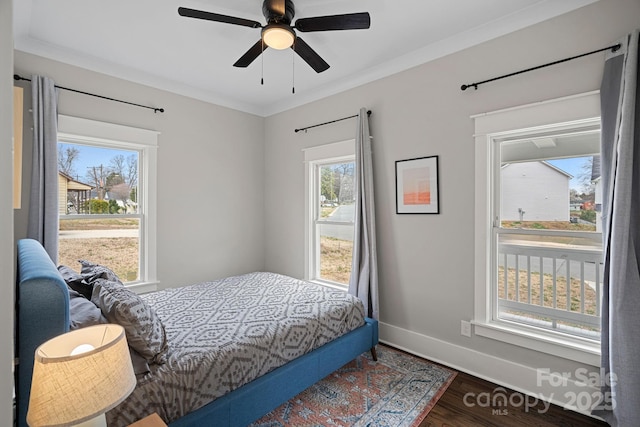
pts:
[620, 146]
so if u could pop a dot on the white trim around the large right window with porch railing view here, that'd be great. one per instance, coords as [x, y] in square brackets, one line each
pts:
[576, 109]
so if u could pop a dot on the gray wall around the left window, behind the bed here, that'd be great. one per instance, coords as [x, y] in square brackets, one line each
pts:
[210, 163]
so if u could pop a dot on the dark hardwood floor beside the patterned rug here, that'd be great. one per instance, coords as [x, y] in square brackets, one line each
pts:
[451, 409]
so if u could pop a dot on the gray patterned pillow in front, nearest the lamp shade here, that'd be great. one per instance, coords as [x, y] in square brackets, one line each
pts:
[145, 332]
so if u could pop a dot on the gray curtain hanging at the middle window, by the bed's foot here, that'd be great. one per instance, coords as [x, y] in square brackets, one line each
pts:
[364, 269]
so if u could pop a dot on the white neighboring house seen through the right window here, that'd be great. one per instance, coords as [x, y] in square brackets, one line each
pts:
[534, 191]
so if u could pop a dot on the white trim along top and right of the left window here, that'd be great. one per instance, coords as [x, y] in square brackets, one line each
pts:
[76, 129]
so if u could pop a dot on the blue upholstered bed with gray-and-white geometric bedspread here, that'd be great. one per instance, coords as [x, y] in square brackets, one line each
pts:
[43, 311]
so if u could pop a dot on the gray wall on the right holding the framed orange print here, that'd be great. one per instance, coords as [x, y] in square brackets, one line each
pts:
[426, 262]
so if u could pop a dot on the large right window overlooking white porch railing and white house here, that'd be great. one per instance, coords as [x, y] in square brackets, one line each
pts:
[538, 240]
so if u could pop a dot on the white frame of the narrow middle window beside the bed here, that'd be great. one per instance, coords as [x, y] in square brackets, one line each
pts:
[314, 158]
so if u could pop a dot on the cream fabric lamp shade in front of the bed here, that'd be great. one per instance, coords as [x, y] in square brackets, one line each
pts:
[79, 376]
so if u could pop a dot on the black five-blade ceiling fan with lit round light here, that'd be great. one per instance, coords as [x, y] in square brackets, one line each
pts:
[279, 33]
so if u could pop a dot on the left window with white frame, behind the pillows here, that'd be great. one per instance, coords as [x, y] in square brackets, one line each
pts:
[106, 176]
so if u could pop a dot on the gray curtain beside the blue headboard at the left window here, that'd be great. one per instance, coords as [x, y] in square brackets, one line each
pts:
[43, 202]
